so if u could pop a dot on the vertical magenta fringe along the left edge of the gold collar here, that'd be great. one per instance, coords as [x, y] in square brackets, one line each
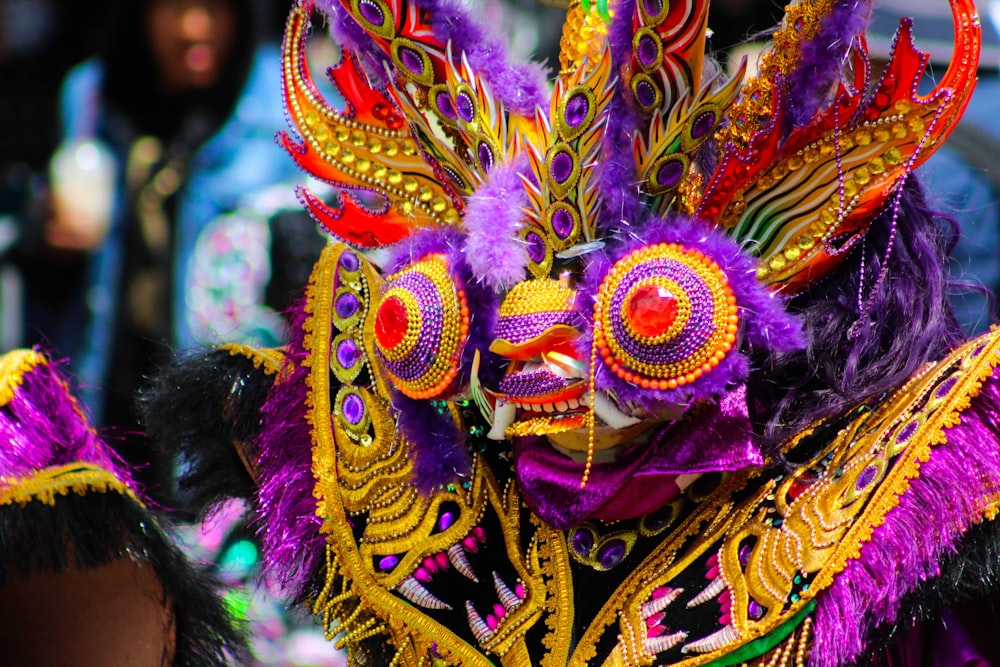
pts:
[293, 544]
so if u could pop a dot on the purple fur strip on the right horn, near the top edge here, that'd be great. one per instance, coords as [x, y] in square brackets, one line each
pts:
[821, 61]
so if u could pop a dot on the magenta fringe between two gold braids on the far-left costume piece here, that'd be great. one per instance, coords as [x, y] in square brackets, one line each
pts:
[42, 426]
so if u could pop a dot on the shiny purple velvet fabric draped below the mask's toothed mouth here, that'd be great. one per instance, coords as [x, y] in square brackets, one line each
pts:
[642, 479]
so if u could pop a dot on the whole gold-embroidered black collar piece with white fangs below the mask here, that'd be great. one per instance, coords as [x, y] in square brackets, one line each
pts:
[730, 570]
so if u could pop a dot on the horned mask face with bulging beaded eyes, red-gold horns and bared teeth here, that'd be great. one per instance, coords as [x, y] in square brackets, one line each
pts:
[619, 241]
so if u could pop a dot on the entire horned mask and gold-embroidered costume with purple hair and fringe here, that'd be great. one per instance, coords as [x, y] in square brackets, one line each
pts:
[650, 367]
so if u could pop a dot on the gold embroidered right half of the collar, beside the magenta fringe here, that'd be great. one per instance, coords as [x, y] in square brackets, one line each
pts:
[823, 527]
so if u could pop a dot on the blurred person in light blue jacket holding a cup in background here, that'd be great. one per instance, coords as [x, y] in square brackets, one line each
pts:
[166, 132]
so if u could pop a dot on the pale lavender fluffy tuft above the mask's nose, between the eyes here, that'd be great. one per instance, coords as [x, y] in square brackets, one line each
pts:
[495, 254]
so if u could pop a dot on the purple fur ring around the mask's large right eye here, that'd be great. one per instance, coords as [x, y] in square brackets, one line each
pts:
[766, 325]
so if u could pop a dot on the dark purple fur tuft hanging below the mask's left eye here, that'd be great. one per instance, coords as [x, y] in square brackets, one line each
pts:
[437, 445]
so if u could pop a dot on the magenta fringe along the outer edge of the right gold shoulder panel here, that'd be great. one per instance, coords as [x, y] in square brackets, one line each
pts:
[926, 526]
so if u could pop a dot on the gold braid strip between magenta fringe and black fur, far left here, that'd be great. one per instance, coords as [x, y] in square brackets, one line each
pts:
[77, 477]
